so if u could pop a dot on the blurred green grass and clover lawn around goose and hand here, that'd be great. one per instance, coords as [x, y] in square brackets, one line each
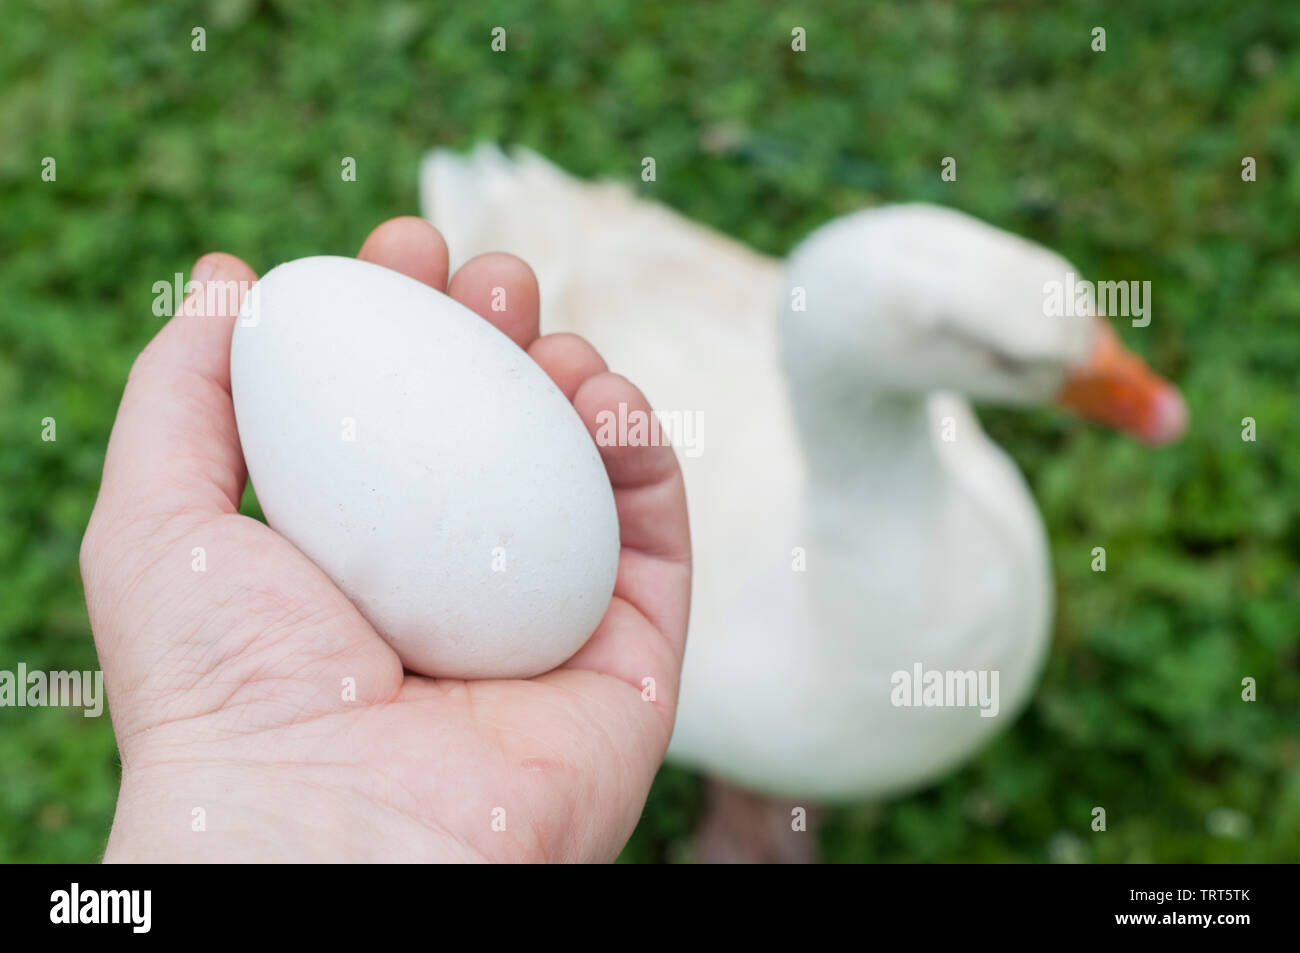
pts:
[1126, 162]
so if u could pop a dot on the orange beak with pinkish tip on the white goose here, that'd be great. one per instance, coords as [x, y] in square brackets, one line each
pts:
[1117, 388]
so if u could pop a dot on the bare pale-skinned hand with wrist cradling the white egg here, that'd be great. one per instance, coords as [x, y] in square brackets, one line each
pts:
[226, 686]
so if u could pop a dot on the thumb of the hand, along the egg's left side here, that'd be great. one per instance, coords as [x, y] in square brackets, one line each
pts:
[175, 445]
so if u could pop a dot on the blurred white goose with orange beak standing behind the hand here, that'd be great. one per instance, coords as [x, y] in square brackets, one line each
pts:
[855, 529]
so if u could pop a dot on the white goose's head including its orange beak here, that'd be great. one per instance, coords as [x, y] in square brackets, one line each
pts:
[909, 300]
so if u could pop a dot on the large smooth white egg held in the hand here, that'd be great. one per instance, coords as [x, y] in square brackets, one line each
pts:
[427, 465]
